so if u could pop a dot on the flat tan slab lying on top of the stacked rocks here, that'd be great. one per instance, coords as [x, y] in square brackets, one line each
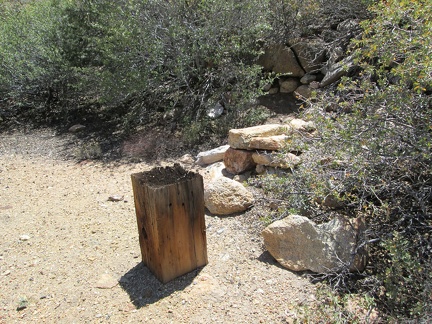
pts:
[241, 138]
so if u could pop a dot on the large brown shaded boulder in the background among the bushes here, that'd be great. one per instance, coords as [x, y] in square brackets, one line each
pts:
[281, 59]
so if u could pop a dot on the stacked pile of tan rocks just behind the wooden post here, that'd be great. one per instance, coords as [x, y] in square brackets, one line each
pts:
[249, 149]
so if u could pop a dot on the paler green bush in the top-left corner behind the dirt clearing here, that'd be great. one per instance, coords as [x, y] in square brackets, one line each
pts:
[30, 64]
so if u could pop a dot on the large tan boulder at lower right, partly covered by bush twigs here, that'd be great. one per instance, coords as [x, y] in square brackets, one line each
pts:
[298, 244]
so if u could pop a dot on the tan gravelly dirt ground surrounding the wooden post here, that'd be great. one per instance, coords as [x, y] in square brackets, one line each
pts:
[70, 255]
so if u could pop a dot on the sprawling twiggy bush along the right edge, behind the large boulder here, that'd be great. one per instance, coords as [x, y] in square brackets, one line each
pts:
[373, 155]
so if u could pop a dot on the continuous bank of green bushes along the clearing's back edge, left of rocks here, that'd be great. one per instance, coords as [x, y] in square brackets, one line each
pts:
[143, 62]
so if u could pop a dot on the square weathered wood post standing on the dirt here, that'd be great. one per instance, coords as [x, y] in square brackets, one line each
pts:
[169, 204]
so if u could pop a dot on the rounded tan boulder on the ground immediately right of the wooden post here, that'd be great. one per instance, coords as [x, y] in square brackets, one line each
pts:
[225, 196]
